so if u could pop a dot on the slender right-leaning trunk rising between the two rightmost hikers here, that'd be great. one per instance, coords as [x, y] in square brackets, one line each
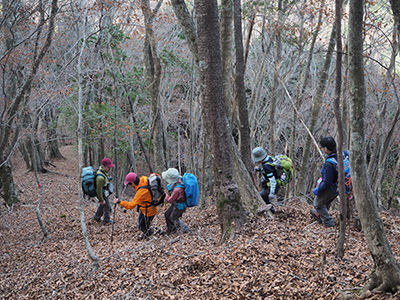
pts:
[301, 185]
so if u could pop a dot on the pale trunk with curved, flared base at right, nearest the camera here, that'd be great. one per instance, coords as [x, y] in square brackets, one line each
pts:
[386, 274]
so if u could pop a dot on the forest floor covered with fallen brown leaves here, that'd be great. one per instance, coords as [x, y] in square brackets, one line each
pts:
[287, 257]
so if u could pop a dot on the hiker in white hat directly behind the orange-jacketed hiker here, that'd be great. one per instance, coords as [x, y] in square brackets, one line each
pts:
[177, 200]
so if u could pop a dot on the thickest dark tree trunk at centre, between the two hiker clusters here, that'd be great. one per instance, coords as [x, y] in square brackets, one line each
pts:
[230, 210]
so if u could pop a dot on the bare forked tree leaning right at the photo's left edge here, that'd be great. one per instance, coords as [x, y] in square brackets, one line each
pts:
[16, 100]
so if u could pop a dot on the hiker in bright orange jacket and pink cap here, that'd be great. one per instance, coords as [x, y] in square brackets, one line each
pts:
[143, 200]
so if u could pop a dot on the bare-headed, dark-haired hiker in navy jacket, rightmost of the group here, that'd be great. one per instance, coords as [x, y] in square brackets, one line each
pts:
[326, 191]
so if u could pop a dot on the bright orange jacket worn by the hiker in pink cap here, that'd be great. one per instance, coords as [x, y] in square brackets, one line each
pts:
[142, 198]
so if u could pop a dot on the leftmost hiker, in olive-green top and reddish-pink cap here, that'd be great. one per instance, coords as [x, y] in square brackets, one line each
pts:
[102, 193]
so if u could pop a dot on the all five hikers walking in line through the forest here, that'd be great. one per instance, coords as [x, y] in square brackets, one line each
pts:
[271, 180]
